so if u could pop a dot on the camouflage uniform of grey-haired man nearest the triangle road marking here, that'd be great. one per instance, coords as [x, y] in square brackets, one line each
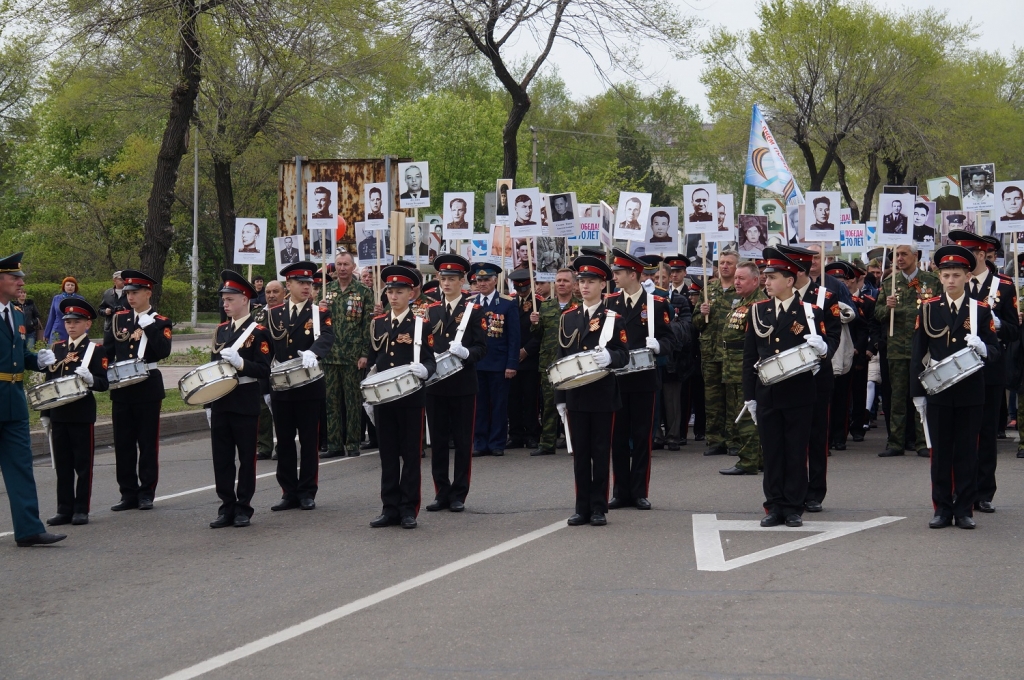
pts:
[744, 434]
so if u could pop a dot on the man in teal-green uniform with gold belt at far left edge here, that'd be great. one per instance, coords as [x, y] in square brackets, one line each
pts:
[16, 447]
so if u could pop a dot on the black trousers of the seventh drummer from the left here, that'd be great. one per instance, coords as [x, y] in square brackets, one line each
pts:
[591, 437]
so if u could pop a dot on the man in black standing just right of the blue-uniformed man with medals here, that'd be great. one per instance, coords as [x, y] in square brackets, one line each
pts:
[525, 389]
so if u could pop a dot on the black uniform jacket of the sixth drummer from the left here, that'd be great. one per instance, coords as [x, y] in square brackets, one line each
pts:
[475, 341]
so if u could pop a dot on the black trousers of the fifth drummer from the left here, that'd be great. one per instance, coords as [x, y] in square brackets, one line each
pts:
[400, 434]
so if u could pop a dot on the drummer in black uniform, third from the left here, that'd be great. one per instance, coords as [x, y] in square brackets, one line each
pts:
[235, 417]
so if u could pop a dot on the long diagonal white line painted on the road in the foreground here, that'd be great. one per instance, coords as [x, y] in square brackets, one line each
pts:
[360, 605]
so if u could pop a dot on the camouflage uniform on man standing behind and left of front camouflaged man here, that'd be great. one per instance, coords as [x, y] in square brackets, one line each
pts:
[711, 362]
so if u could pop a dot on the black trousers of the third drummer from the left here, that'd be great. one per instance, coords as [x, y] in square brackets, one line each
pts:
[233, 435]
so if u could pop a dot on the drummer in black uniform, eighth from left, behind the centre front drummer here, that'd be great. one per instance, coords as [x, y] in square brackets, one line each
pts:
[632, 440]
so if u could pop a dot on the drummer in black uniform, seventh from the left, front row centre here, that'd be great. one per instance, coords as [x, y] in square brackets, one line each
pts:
[590, 409]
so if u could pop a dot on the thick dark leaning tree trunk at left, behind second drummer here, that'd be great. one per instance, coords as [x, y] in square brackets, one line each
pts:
[159, 232]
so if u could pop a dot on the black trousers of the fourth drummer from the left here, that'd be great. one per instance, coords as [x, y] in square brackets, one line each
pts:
[289, 418]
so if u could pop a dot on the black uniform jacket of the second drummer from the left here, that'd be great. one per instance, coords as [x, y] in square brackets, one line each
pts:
[121, 345]
